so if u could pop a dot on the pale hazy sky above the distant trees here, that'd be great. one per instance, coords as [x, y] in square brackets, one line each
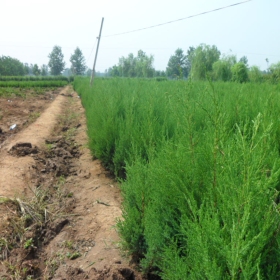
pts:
[31, 28]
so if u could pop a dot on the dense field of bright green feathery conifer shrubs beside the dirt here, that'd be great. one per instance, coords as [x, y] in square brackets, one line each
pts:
[199, 169]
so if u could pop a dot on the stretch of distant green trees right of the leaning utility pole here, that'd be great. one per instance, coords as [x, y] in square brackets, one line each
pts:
[198, 63]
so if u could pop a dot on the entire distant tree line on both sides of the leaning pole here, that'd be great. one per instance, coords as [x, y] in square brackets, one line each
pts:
[198, 63]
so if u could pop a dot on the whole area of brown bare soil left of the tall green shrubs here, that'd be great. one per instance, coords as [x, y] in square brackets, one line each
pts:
[58, 206]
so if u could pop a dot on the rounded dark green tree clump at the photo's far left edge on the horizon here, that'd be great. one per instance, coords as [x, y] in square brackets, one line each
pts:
[11, 66]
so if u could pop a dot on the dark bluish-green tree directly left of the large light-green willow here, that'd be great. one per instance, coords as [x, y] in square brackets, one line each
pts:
[176, 66]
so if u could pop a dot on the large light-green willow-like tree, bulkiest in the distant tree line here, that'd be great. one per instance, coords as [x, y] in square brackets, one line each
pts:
[203, 59]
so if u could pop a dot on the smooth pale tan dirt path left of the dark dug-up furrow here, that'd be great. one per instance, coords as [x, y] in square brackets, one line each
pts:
[14, 172]
